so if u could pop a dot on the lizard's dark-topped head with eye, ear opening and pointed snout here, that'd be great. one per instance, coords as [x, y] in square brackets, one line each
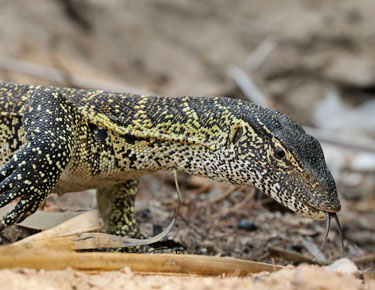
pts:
[283, 161]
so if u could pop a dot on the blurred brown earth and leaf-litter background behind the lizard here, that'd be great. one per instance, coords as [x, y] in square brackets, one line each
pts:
[314, 60]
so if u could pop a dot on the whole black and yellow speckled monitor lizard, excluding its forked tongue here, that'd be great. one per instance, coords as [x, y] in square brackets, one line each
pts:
[62, 140]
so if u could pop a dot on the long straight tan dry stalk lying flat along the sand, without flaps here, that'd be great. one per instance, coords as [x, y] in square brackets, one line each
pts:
[138, 263]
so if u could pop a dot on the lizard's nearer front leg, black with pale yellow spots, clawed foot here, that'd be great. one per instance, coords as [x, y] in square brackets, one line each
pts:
[34, 169]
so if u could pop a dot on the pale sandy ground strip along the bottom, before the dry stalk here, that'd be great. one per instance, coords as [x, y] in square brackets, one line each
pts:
[303, 277]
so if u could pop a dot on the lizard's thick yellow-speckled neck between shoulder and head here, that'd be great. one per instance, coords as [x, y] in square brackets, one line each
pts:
[160, 133]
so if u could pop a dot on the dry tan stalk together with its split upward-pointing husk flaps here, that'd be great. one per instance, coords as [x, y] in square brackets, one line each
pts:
[53, 250]
